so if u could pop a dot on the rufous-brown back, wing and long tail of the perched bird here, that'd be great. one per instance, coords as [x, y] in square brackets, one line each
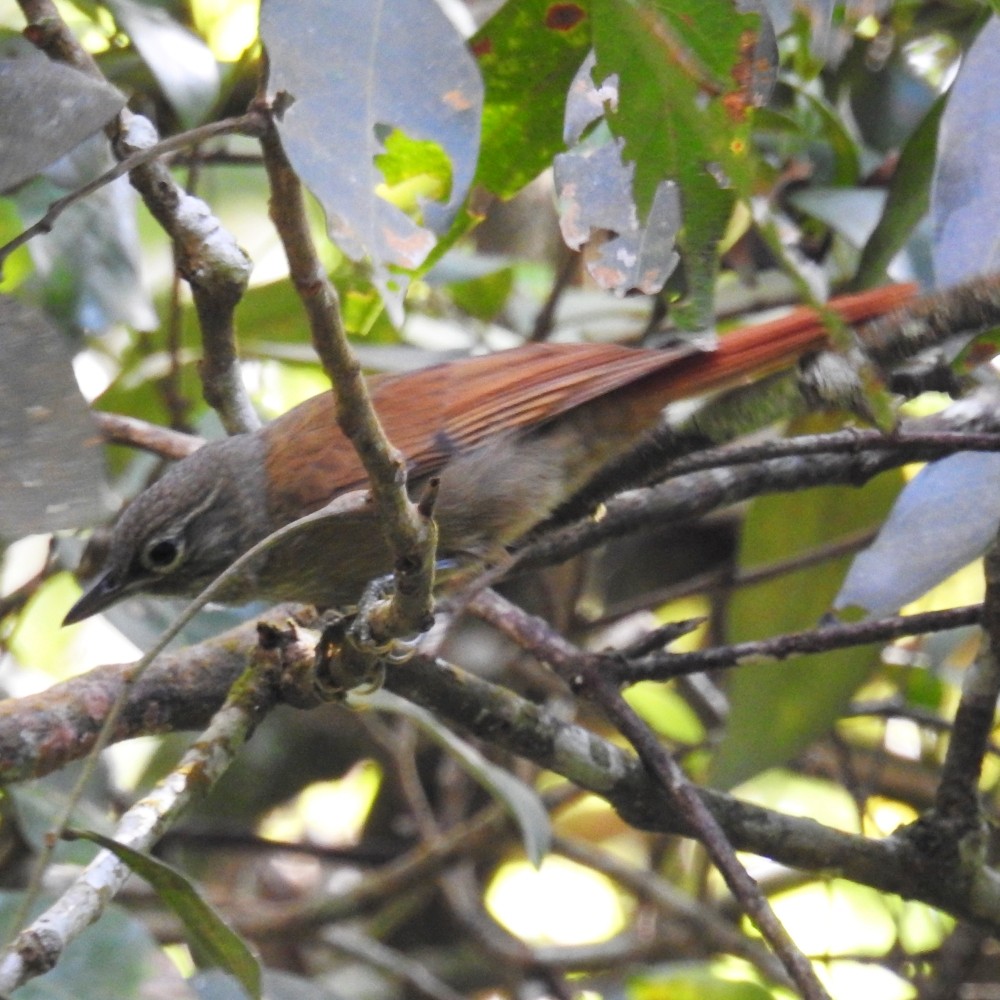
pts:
[432, 414]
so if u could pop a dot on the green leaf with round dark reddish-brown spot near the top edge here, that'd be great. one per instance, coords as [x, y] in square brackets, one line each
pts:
[528, 52]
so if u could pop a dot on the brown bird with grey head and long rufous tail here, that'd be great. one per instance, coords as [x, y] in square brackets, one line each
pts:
[511, 435]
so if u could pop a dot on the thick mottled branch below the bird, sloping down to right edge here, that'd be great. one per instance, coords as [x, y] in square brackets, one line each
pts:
[502, 718]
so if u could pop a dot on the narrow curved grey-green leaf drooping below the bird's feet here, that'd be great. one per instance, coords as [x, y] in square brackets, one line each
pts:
[521, 801]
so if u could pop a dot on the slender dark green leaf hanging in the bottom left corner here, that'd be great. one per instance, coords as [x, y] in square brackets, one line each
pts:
[214, 942]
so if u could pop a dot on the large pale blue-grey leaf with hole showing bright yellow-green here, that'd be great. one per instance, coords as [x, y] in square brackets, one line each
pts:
[377, 89]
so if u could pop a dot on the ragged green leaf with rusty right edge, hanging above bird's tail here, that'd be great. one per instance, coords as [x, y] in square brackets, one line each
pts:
[683, 116]
